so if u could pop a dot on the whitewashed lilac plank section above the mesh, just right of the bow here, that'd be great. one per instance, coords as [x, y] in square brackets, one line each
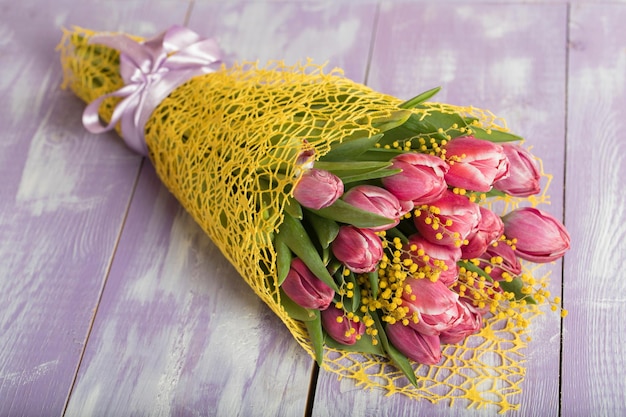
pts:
[336, 33]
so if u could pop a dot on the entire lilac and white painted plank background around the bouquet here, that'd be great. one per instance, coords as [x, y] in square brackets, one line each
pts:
[112, 301]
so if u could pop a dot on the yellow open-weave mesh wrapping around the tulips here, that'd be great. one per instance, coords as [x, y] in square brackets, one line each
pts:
[226, 143]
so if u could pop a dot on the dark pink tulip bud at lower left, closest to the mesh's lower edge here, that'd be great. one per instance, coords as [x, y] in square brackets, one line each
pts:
[305, 289]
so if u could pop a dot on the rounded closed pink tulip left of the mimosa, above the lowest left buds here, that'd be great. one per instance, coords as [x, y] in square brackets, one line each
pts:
[359, 249]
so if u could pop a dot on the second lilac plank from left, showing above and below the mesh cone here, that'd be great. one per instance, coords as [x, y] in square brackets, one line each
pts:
[177, 331]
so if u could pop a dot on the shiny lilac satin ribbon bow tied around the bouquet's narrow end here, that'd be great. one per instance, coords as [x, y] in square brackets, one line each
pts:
[151, 70]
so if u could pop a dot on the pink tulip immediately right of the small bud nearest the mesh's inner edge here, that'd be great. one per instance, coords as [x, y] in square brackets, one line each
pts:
[375, 200]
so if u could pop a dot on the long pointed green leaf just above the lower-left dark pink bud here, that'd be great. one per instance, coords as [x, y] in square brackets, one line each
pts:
[296, 238]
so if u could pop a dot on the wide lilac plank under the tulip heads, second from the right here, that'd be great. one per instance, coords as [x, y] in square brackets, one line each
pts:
[506, 58]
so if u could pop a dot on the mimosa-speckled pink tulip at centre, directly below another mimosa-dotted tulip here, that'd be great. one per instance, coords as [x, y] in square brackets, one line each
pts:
[437, 255]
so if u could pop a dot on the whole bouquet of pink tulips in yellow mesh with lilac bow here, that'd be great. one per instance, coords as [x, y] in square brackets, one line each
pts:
[396, 240]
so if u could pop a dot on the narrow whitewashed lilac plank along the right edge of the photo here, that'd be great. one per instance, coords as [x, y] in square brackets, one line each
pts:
[593, 350]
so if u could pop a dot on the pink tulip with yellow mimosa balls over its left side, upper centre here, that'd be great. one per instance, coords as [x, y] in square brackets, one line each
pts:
[461, 214]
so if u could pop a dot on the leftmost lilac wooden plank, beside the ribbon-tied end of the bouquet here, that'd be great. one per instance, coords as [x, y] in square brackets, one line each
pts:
[62, 204]
